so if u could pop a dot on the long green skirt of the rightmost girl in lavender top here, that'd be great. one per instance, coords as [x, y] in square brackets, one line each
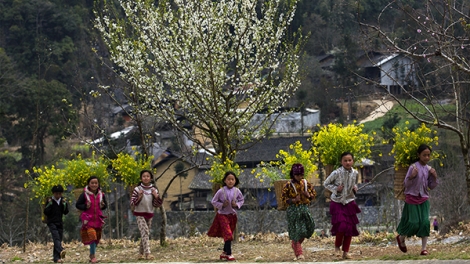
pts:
[415, 220]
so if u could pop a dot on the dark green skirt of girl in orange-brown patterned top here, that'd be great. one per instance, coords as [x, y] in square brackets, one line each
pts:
[300, 223]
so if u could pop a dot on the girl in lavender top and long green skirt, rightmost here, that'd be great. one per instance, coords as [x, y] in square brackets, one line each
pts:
[419, 179]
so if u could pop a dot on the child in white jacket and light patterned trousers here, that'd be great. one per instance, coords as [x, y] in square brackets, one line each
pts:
[144, 198]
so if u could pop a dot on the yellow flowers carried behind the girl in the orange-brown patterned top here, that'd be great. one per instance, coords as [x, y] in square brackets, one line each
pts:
[280, 169]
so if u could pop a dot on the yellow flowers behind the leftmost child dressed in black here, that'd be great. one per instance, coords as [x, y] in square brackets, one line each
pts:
[46, 178]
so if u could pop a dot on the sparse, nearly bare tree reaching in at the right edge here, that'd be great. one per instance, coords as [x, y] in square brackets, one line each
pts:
[436, 35]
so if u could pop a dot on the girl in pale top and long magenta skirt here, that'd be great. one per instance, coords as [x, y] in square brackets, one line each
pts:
[343, 208]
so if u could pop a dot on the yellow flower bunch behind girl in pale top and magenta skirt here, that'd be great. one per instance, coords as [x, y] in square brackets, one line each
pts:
[332, 140]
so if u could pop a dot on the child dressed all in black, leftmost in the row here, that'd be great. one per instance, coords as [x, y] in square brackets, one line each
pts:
[55, 209]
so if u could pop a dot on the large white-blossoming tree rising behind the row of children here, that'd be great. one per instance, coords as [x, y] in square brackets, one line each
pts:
[206, 67]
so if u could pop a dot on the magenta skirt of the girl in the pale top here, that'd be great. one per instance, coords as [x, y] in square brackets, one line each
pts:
[344, 218]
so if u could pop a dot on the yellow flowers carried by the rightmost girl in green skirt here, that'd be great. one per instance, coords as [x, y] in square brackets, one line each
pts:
[406, 143]
